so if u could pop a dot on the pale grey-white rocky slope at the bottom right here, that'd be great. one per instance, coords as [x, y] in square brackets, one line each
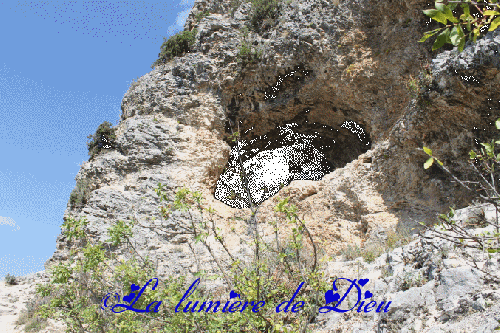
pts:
[433, 287]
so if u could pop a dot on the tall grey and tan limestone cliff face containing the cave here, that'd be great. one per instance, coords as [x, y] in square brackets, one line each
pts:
[325, 111]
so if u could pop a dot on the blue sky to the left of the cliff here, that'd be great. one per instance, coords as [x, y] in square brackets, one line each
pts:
[64, 68]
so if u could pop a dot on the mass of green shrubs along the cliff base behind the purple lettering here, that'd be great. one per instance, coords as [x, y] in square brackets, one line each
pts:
[272, 274]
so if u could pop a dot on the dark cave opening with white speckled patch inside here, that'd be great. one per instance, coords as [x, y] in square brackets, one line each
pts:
[289, 152]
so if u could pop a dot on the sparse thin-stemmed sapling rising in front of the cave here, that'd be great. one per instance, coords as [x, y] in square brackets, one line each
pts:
[276, 269]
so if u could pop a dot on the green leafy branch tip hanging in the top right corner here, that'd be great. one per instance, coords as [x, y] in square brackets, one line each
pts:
[462, 20]
